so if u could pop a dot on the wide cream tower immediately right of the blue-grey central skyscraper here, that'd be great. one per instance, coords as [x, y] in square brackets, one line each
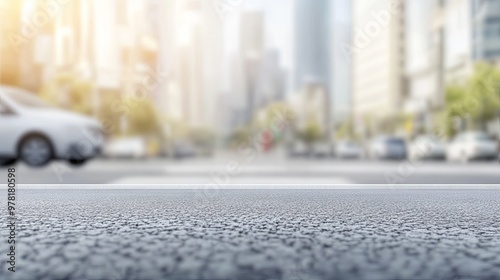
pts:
[378, 59]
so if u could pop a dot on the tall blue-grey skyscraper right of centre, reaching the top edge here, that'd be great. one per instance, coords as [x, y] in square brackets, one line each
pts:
[312, 59]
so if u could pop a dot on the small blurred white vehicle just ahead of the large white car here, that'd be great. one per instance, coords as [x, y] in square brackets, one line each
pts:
[132, 148]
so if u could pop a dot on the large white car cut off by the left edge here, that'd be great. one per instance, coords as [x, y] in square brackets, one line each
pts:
[37, 133]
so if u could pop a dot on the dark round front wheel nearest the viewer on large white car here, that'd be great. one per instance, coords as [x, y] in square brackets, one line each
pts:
[35, 151]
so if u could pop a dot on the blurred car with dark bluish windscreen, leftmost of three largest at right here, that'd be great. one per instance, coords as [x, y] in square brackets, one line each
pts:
[388, 147]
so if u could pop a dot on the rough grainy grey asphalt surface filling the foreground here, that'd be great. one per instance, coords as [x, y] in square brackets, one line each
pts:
[257, 234]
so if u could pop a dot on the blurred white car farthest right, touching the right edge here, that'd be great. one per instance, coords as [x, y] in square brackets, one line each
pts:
[472, 146]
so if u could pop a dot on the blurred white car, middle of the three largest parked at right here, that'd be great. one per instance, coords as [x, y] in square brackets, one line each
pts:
[427, 147]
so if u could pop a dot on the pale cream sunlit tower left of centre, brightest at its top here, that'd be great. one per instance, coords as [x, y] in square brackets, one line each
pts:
[198, 57]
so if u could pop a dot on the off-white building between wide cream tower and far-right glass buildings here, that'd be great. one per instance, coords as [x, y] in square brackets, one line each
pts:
[424, 61]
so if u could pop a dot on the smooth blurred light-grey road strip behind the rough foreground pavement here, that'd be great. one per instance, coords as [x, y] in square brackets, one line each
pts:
[238, 170]
